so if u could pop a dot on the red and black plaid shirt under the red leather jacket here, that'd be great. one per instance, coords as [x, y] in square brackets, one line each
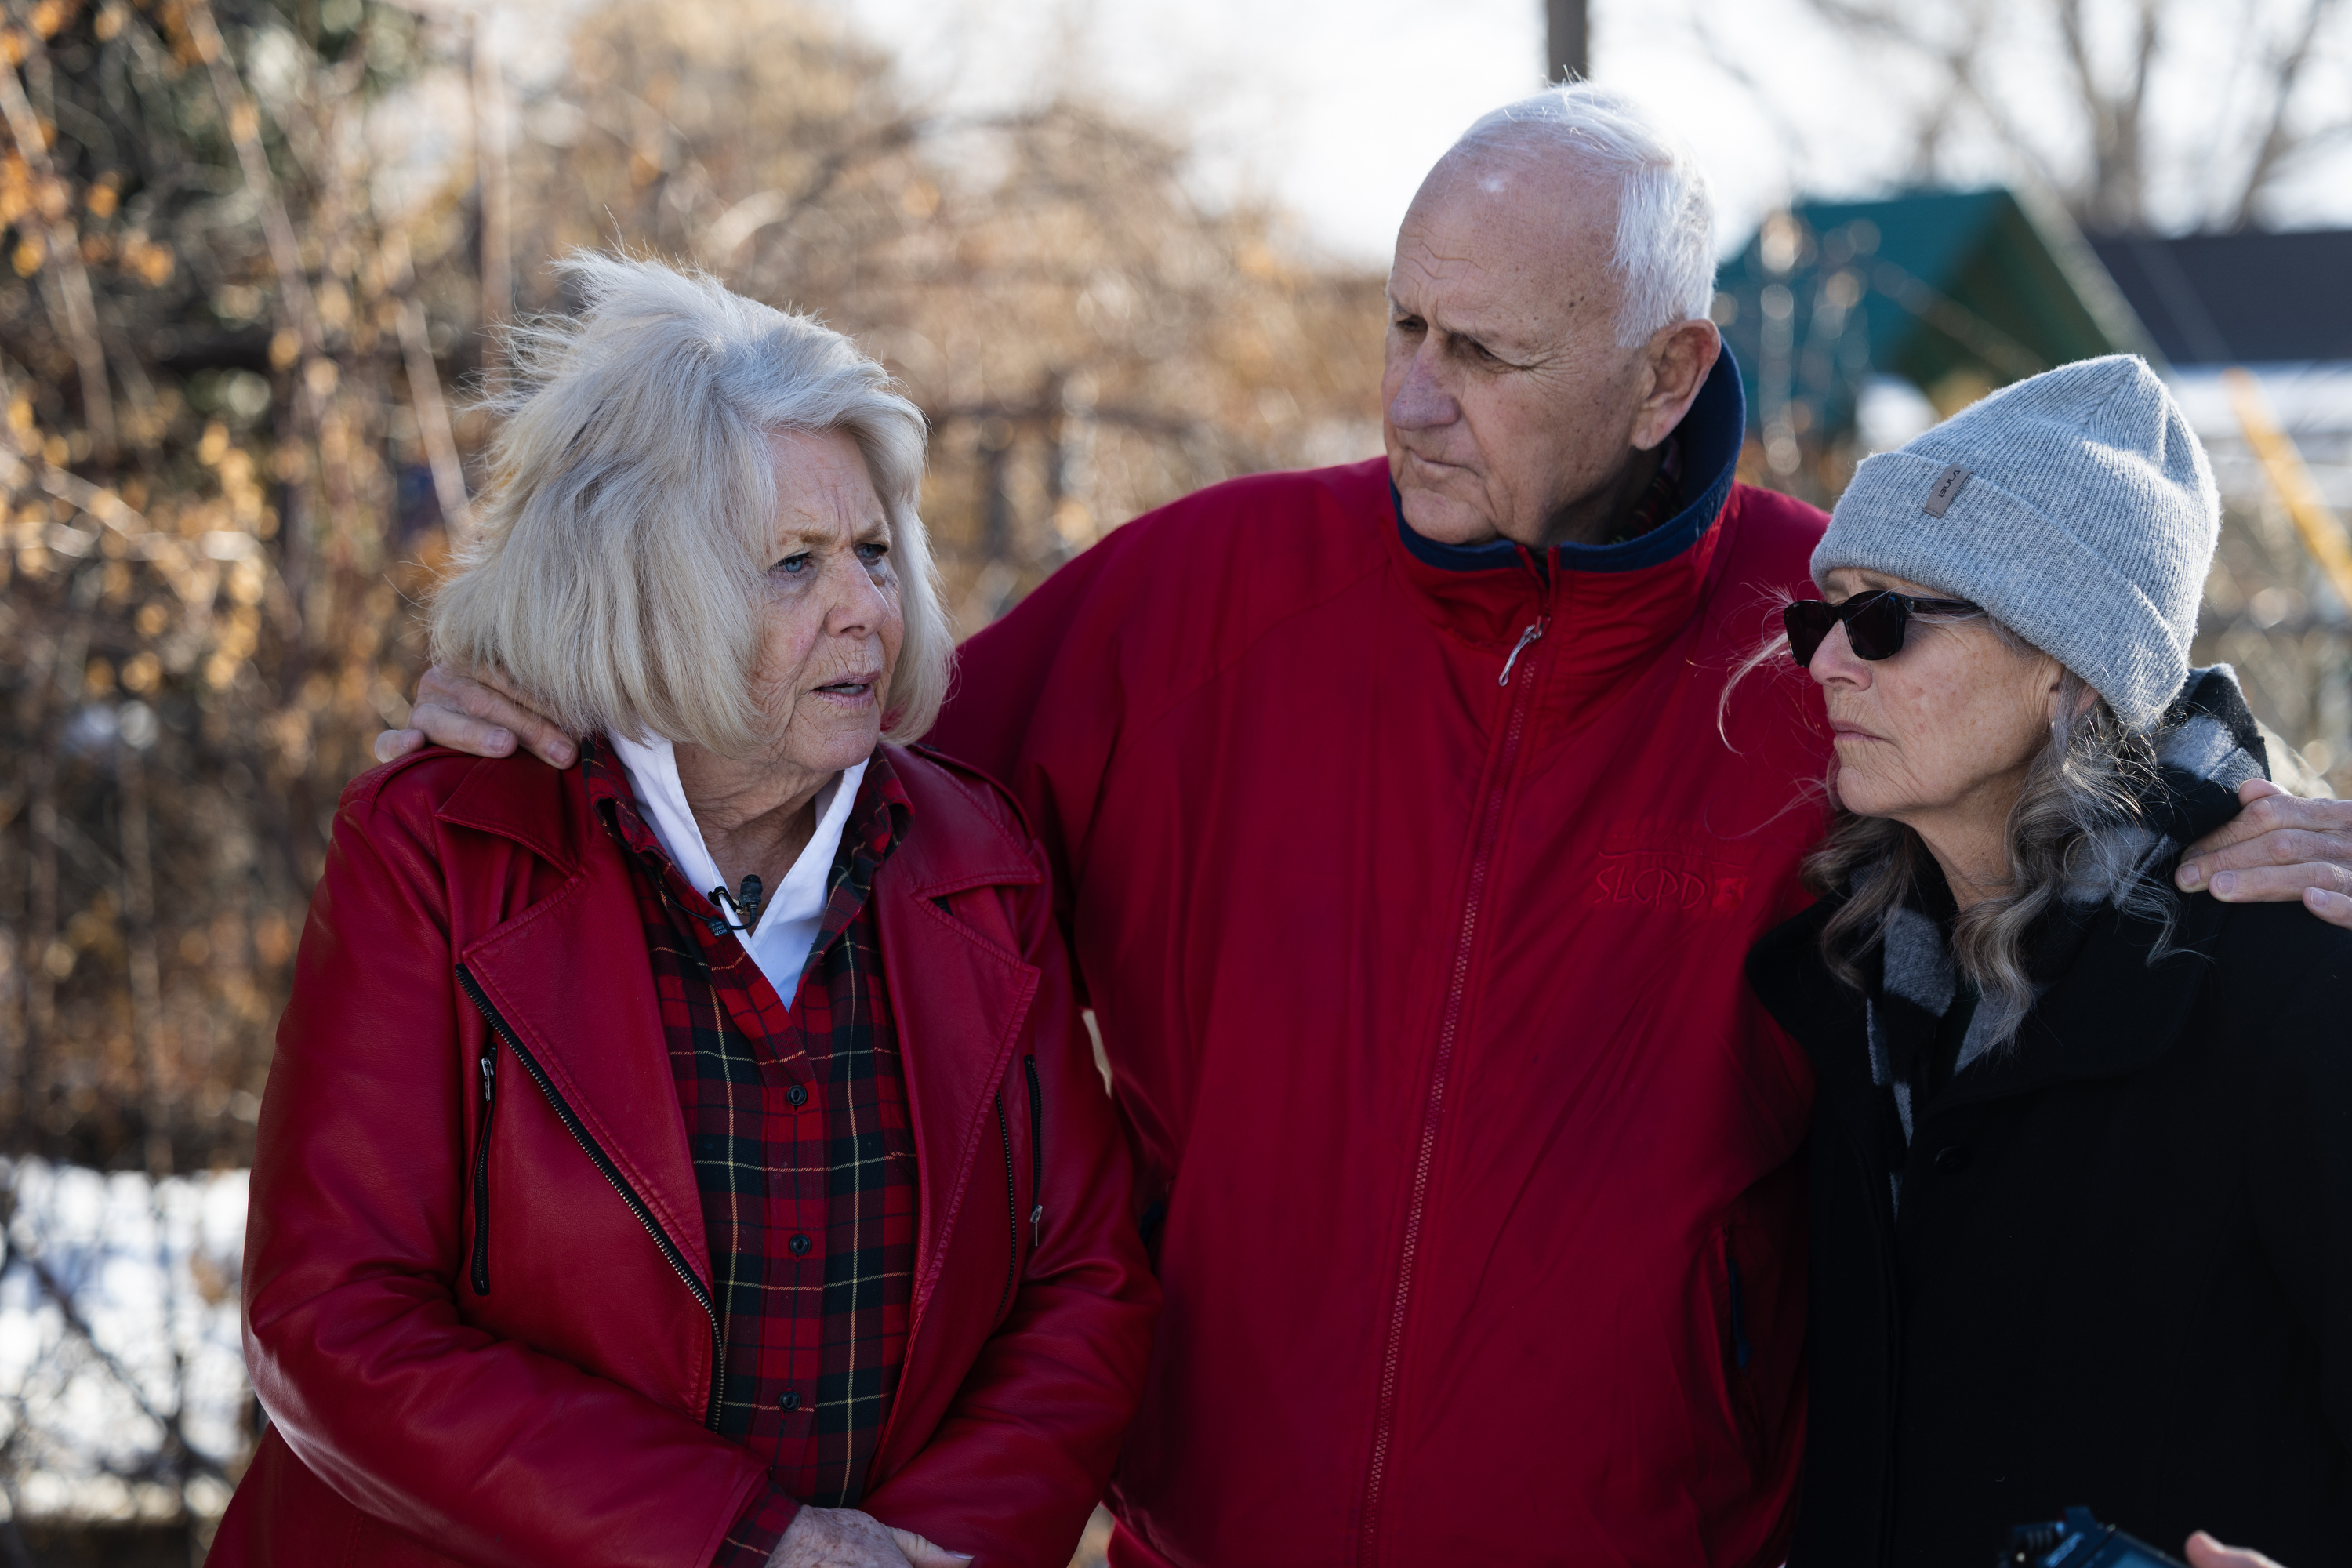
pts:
[803, 1153]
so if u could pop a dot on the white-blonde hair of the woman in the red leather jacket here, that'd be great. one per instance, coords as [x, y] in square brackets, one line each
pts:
[617, 570]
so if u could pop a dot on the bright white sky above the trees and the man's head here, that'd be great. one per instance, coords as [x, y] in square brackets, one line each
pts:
[1337, 107]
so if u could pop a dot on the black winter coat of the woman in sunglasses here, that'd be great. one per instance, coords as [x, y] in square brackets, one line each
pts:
[2123, 1271]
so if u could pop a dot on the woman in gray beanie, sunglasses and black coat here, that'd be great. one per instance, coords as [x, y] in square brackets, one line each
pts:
[2083, 1148]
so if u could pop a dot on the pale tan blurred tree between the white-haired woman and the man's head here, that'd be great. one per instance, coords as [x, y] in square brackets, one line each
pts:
[1083, 333]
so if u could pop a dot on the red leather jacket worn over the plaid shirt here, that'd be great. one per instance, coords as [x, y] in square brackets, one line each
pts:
[563, 1416]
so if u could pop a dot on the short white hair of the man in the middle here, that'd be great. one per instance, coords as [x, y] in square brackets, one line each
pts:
[1666, 217]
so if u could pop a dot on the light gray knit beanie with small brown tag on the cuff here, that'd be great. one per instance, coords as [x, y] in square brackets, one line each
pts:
[2076, 507]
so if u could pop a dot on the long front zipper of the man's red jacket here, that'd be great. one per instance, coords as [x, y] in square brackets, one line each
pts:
[1490, 826]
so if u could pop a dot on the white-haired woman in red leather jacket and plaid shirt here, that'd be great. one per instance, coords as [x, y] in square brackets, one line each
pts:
[693, 1158]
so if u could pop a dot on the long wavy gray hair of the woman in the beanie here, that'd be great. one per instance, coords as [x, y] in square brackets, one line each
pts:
[2078, 836]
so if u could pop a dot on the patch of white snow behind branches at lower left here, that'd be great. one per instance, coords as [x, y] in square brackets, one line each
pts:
[121, 1369]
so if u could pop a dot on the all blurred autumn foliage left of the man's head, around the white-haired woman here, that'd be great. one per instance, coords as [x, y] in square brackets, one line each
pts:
[248, 281]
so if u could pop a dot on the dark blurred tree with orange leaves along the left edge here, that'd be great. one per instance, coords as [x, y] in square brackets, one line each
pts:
[206, 424]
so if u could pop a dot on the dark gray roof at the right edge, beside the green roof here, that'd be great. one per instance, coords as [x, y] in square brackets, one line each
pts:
[2240, 300]
